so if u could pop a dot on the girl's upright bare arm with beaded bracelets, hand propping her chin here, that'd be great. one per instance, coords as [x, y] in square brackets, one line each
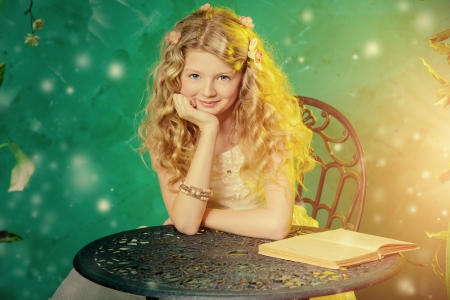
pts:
[185, 211]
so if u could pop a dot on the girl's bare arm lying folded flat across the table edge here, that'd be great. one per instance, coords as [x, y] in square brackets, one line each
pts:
[272, 222]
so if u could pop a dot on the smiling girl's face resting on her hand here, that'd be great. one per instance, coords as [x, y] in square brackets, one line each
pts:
[211, 83]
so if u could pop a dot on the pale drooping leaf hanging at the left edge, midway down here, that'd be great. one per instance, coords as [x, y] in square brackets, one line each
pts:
[22, 170]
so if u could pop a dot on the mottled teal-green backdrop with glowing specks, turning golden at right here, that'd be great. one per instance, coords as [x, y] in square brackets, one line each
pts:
[63, 105]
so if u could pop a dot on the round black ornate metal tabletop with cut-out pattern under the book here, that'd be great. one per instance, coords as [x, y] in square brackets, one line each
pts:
[161, 262]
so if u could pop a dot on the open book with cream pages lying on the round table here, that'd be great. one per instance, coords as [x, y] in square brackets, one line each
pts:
[334, 248]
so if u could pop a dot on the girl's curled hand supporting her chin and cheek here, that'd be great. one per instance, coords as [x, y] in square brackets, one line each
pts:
[187, 109]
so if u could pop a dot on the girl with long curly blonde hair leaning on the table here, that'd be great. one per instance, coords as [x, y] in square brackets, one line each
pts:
[225, 136]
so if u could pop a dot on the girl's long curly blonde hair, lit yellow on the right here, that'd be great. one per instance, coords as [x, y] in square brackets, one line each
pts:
[267, 117]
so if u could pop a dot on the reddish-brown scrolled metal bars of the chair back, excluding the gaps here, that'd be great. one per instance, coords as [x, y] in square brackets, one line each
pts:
[358, 158]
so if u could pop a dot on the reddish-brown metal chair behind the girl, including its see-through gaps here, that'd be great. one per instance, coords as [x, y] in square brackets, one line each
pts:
[336, 188]
